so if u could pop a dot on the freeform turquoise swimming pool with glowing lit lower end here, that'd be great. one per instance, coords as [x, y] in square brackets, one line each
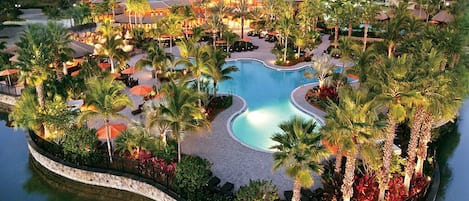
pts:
[267, 93]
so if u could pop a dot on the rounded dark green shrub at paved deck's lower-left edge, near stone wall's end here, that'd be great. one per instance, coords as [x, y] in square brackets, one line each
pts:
[192, 173]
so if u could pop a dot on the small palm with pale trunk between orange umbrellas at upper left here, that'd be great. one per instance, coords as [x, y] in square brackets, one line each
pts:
[112, 48]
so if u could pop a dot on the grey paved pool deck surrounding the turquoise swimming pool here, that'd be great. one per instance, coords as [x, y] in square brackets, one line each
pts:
[234, 162]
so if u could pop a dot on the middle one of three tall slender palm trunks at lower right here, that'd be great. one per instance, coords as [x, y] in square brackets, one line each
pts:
[412, 147]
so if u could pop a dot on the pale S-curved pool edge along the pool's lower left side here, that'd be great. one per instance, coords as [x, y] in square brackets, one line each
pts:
[229, 123]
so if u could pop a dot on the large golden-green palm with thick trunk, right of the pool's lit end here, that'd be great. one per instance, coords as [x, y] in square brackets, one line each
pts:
[355, 118]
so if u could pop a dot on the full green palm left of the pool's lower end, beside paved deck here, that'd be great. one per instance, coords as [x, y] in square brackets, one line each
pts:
[181, 112]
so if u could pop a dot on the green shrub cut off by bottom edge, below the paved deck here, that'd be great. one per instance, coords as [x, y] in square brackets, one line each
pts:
[257, 190]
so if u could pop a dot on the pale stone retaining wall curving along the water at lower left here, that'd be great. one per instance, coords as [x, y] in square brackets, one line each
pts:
[99, 179]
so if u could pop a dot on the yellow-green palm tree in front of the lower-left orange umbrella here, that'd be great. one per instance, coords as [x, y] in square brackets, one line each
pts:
[106, 97]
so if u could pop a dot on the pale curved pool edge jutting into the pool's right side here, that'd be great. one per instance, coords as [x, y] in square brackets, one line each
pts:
[297, 98]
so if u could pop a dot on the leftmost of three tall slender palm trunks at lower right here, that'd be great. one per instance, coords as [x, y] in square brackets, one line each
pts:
[387, 155]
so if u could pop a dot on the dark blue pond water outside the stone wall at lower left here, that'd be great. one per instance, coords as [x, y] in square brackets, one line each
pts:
[23, 179]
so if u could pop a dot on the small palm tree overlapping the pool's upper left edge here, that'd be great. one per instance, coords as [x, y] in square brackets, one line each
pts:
[215, 69]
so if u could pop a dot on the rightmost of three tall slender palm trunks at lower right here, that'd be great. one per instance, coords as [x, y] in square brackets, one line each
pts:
[425, 137]
